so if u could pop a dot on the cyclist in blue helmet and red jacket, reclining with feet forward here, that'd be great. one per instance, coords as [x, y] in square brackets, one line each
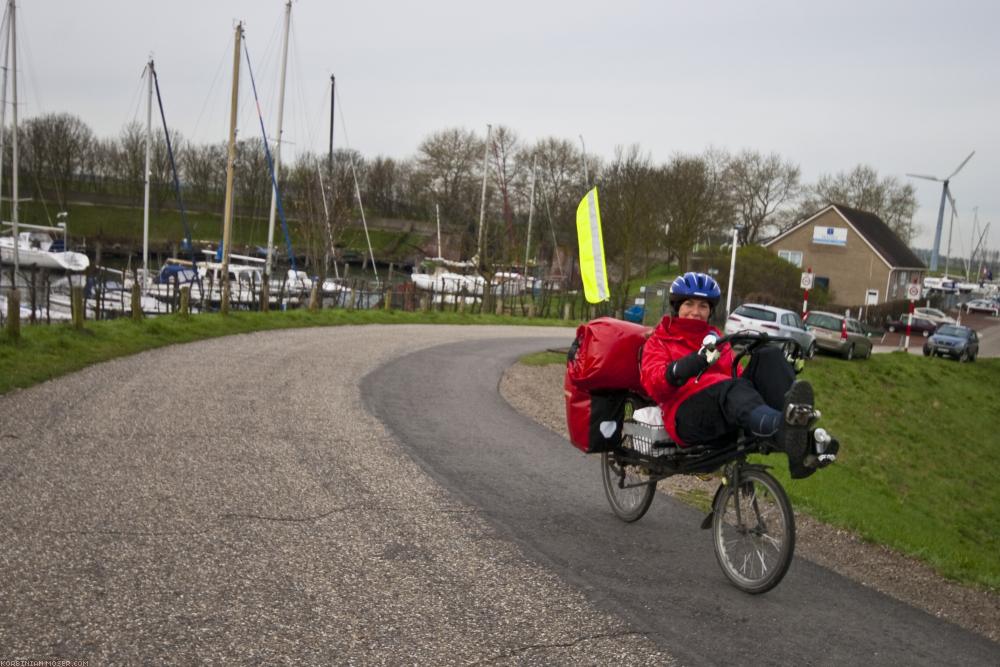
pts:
[703, 404]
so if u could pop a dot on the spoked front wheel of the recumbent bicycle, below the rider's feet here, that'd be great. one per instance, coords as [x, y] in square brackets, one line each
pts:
[754, 531]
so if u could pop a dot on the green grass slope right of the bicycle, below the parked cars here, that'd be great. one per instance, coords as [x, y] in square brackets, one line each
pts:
[917, 467]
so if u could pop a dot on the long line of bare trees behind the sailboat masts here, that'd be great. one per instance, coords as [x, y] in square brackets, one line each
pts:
[648, 209]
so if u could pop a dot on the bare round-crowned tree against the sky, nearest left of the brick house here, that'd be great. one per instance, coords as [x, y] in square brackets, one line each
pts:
[759, 186]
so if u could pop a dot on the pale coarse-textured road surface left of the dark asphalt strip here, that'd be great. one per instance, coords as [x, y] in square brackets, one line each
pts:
[230, 501]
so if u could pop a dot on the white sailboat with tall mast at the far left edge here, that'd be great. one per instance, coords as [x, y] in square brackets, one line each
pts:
[36, 247]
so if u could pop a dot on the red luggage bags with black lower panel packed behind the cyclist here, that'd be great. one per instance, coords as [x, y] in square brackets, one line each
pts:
[601, 370]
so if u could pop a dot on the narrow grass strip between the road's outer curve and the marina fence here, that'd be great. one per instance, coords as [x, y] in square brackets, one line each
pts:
[44, 352]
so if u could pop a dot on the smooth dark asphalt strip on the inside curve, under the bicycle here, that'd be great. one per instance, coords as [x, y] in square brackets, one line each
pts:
[660, 573]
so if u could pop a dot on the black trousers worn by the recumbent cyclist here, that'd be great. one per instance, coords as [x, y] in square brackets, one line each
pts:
[714, 416]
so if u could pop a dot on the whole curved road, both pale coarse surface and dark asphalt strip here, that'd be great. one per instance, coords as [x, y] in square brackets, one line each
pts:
[234, 500]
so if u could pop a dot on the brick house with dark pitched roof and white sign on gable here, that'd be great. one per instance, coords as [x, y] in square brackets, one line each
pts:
[851, 252]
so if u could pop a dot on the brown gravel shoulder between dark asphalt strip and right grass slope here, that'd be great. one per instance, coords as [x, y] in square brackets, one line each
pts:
[537, 392]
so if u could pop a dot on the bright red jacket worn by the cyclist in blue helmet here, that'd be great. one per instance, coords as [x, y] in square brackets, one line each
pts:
[672, 339]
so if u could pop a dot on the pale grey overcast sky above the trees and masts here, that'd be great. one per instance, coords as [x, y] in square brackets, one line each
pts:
[904, 86]
